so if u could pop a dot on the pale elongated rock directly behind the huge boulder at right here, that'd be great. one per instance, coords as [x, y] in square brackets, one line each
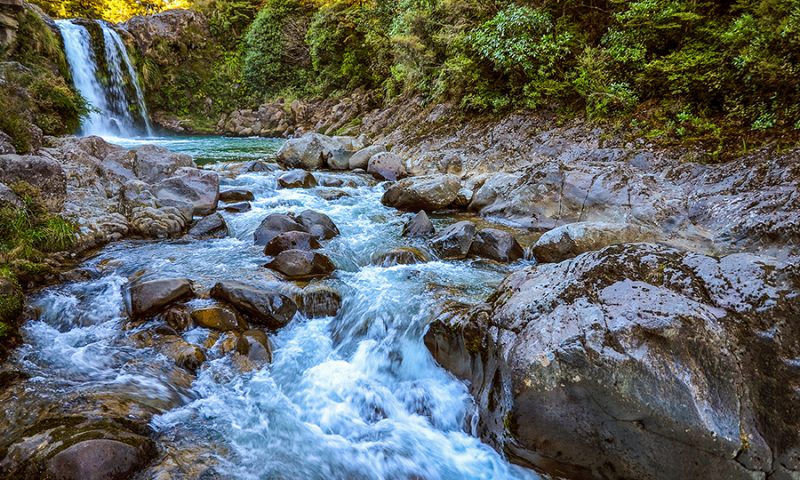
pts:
[575, 238]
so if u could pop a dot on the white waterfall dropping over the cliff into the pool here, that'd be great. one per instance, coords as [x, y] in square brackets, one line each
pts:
[111, 103]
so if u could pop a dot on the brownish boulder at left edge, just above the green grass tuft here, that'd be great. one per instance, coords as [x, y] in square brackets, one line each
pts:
[43, 173]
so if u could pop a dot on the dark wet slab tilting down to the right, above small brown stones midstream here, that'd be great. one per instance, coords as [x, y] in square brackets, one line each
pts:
[263, 306]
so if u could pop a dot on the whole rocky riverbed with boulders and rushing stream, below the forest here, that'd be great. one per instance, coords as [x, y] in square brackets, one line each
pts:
[612, 312]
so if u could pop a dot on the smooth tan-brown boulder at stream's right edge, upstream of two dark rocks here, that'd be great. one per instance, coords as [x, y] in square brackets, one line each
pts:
[431, 192]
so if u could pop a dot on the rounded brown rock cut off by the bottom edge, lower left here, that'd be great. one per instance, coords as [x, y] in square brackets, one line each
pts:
[98, 459]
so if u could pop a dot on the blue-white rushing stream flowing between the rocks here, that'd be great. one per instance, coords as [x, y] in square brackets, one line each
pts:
[353, 396]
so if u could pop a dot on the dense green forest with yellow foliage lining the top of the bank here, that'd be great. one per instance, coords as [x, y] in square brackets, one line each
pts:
[721, 74]
